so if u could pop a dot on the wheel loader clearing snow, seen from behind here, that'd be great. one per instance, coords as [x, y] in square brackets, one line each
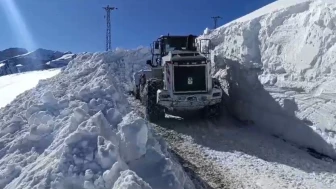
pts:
[179, 79]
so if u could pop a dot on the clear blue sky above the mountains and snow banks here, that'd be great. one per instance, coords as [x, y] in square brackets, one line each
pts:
[79, 25]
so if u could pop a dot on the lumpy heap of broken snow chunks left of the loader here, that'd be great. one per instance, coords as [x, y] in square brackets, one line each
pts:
[76, 130]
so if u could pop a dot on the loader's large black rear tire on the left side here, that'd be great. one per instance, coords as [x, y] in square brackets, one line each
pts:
[154, 112]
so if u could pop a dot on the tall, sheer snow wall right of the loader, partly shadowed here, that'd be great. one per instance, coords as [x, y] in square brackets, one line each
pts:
[279, 62]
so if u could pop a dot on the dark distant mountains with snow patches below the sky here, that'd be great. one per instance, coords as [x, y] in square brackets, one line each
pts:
[35, 60]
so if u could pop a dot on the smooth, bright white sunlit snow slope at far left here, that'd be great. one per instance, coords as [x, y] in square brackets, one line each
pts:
[13, 85]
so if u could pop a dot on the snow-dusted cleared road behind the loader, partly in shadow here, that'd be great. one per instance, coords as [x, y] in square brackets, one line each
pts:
[226, 154]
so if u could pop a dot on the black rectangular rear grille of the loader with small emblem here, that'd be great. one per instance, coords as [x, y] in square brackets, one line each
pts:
[195, 75]
